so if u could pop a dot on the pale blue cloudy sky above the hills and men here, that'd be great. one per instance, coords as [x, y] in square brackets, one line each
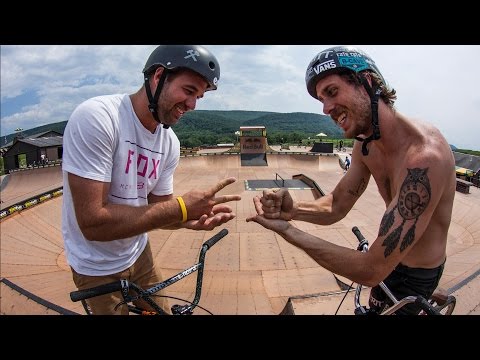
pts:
[42, 84]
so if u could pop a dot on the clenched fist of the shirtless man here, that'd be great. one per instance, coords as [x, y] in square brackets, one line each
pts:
[277, 204]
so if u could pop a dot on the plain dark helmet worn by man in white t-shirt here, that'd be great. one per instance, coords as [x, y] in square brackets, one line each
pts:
[193, 57]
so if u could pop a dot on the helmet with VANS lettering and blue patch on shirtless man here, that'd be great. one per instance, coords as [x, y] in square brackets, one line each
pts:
[335, 59]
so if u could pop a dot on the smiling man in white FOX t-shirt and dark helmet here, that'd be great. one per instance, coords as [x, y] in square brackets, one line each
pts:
[119, 158]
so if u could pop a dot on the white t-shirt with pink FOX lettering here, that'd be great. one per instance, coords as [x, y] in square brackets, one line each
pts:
[105, 141]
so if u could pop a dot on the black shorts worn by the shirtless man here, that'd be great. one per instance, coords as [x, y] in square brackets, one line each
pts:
[406, 281]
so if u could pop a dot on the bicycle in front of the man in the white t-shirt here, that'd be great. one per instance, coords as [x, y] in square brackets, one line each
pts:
[124, 286]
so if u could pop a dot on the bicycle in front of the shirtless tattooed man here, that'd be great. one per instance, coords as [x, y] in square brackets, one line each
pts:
[440, 303]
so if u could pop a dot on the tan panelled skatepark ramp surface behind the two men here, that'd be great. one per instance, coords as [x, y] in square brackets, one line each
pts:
[252, 270]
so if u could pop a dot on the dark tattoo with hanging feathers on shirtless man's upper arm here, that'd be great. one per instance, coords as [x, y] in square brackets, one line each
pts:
[414, 198]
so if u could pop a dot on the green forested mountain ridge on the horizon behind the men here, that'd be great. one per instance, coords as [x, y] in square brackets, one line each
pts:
[212, 127]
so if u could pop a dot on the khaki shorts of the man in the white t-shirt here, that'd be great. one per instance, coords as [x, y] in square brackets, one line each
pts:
[143, 273]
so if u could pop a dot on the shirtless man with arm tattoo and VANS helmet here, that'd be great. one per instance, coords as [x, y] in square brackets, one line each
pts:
[409, 160]
